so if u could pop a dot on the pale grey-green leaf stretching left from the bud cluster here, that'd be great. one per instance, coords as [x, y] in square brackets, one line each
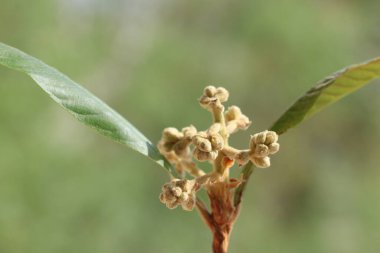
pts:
[83, 105]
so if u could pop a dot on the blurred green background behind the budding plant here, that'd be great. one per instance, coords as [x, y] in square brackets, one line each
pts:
[64, 188]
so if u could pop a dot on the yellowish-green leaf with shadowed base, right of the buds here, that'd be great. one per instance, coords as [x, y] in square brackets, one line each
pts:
[327, 92]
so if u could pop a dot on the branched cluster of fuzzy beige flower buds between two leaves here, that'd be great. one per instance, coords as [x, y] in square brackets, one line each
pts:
[182, 147]
